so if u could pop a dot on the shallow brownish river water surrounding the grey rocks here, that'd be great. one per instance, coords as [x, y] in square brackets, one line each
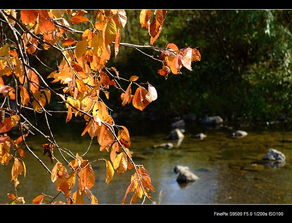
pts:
[228, 169]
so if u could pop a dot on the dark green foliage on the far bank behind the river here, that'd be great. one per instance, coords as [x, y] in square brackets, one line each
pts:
[245, 71]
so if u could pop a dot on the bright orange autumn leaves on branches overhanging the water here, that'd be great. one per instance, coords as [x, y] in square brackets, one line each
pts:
[86, 82]
